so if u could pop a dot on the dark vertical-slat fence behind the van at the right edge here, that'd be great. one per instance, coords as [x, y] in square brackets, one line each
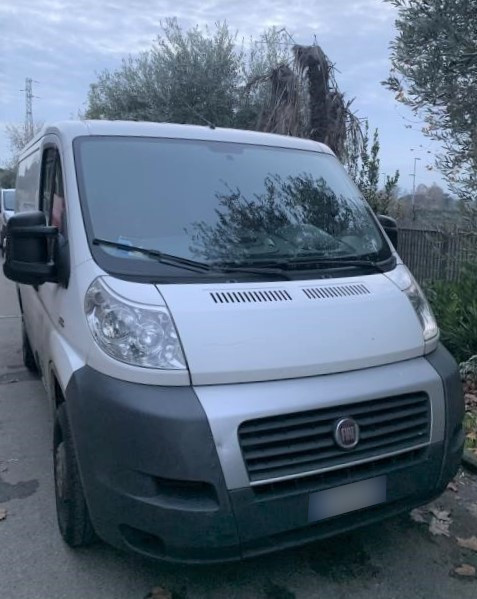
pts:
[437, 255]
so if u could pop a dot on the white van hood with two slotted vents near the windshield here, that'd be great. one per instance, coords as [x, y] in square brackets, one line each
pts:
[237, 333]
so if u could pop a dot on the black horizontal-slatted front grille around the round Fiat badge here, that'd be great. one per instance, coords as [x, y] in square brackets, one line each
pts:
[303, 442]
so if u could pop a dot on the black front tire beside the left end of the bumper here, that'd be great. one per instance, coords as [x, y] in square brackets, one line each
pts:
[71, 509]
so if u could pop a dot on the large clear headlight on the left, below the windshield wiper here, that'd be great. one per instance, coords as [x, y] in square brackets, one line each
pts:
[132, 333]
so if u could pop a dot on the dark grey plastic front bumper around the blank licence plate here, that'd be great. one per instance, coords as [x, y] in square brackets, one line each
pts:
[154, 482]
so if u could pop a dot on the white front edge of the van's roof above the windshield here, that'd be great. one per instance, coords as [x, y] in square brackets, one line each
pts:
[69, 130]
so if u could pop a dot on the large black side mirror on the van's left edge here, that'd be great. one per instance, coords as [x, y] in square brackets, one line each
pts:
[30, 248]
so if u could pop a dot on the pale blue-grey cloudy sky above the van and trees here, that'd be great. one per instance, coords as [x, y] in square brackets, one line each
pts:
[62, 44]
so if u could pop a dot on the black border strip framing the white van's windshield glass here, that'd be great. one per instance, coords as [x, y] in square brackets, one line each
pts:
[140, 270]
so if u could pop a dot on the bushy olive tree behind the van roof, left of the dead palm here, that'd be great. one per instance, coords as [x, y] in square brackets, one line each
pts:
[186, 77]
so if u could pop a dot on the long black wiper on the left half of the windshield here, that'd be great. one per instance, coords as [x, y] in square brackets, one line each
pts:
[194, 265]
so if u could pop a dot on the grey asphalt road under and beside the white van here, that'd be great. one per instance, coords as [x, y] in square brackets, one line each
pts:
[397, 559]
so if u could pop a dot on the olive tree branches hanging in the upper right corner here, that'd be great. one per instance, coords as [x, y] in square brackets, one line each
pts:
[434, 72]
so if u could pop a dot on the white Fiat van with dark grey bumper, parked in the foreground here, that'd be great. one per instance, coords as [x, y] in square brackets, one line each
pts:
[237, 359]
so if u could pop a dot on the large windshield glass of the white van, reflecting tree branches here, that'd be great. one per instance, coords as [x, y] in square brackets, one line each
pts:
[223, 203]
